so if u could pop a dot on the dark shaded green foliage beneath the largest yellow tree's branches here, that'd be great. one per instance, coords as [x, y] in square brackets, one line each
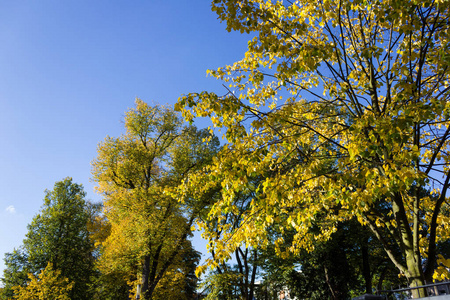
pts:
[349, 264]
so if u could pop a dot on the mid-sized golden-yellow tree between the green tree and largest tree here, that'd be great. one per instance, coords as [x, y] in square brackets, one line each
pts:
[137, 173]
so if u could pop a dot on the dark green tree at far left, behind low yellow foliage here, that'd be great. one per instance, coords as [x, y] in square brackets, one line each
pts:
[58, 235]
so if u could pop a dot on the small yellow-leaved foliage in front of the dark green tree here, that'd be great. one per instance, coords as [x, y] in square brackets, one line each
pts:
[49, 284]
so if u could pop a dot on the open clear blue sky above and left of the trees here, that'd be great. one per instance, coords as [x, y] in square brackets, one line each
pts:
[68, 72]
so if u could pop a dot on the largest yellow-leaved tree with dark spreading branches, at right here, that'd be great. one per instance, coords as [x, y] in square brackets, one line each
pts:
[347, 104]
